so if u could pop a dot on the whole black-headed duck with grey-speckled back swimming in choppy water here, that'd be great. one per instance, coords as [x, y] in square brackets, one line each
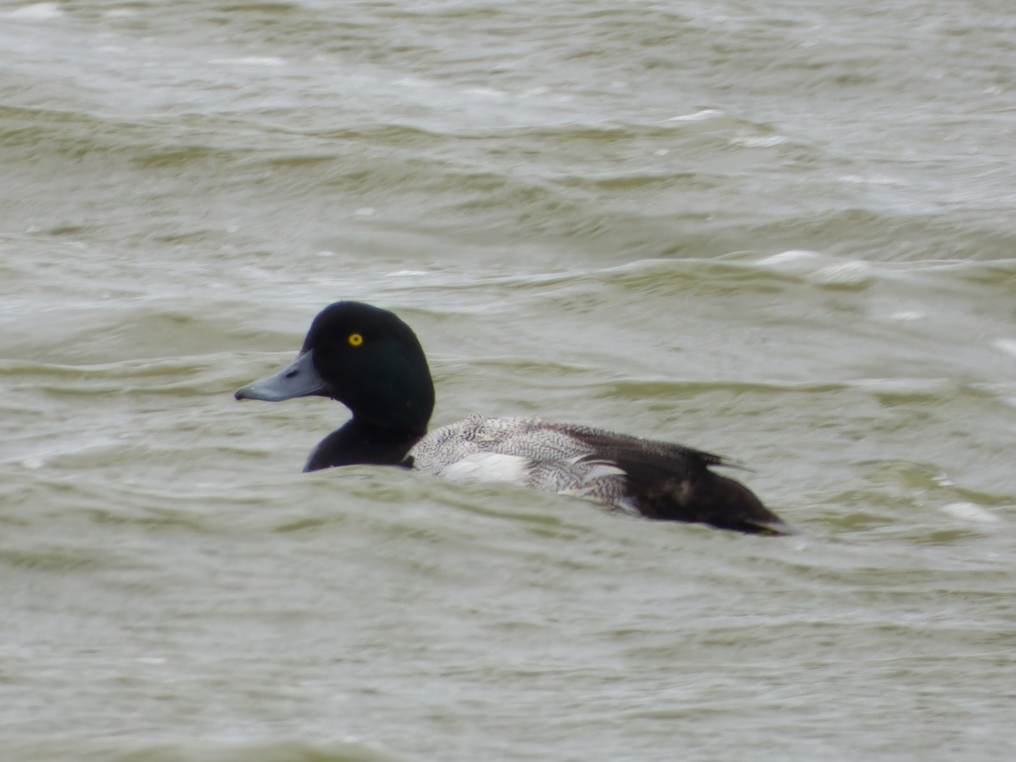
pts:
[372, 362]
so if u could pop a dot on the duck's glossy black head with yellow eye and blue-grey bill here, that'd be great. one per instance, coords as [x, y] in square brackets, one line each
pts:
[364, 357]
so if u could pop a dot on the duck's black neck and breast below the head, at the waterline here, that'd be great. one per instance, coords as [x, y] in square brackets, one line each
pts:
[362, 442]
